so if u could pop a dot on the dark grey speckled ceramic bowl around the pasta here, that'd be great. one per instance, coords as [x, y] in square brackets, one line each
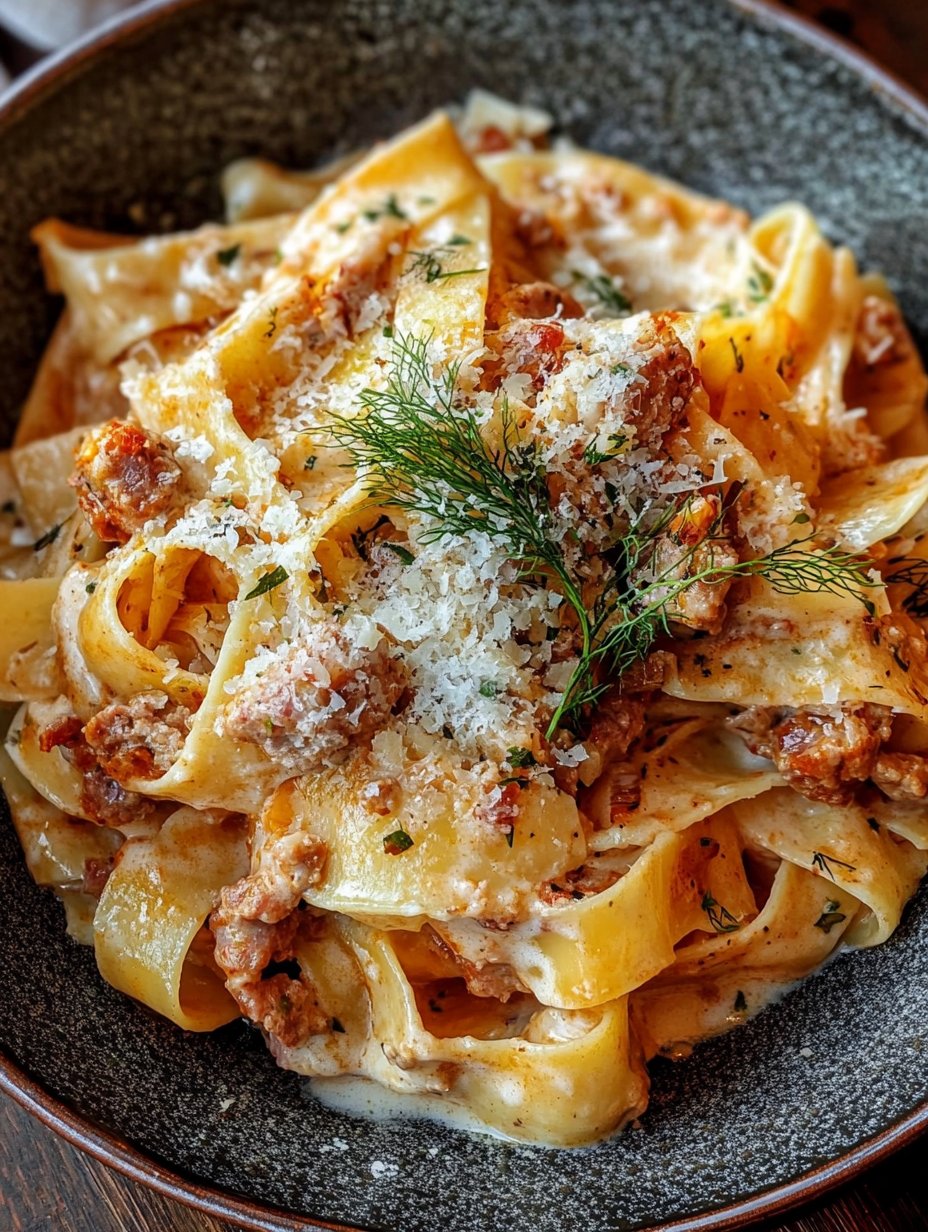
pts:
[728, 98]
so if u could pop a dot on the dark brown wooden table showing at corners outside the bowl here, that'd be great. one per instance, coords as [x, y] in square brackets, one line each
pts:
[47, 1186]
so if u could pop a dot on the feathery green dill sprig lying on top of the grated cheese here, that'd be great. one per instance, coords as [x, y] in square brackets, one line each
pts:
[423, 449]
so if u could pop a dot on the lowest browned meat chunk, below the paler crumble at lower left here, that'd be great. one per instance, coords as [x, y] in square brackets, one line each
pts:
[284, 1006]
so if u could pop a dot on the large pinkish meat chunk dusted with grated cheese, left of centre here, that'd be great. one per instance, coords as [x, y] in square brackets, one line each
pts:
[317, 700]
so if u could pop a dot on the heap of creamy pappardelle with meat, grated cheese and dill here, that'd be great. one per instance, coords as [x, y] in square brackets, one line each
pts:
[465, 614]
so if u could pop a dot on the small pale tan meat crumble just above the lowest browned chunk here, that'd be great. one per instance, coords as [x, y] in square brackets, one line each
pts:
[287, 869]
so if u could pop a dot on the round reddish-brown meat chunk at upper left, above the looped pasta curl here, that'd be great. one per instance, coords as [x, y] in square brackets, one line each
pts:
[125, 477]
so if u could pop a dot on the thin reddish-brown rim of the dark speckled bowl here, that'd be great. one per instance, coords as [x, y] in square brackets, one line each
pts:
[109, 1149]
